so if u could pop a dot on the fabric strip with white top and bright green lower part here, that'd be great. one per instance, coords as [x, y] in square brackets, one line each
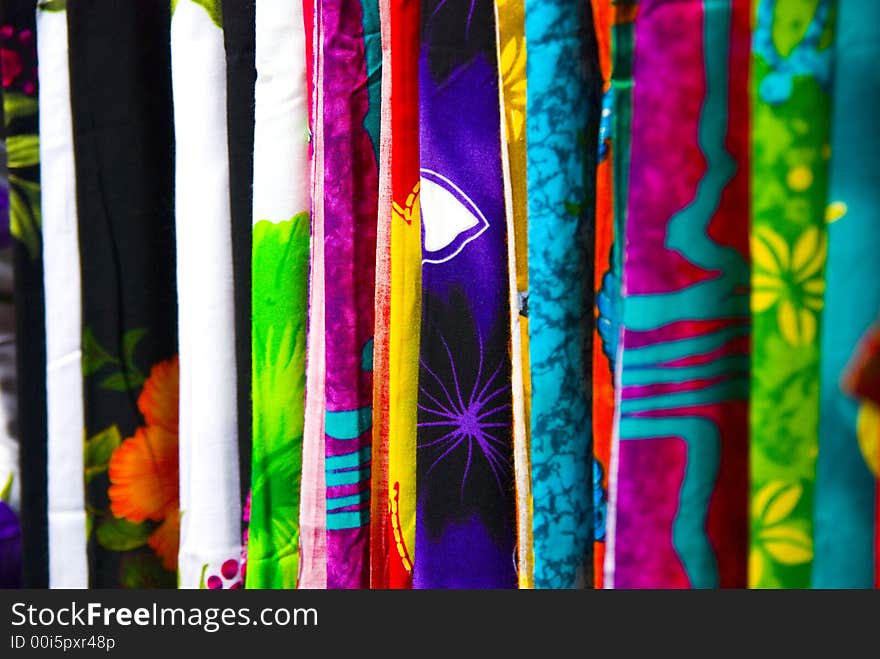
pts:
[280, 262]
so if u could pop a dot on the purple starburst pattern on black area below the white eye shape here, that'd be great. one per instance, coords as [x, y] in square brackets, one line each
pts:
[471, 416]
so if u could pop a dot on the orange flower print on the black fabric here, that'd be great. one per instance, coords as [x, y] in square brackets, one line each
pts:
[144, 470]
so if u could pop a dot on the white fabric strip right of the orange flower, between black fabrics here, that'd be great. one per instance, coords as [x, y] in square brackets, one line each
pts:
[210, 504]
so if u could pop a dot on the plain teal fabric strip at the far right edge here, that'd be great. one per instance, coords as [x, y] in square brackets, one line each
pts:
[845, 509]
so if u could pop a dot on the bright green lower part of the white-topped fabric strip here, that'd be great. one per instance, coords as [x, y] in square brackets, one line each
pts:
[280, 257]
